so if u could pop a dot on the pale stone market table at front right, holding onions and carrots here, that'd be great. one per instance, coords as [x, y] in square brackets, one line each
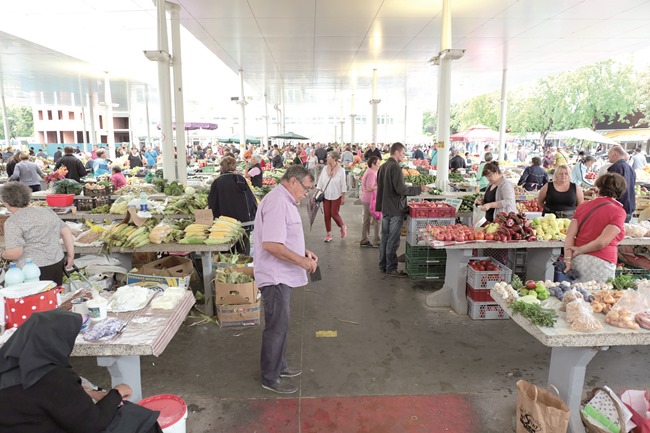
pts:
[572, 351]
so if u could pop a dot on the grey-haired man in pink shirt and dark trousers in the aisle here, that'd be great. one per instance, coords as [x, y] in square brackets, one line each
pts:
[281, 263]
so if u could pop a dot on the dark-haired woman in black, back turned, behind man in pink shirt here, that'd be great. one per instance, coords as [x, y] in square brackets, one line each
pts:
[231, 196]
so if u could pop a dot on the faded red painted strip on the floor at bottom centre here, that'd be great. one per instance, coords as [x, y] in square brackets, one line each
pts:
[376, 414]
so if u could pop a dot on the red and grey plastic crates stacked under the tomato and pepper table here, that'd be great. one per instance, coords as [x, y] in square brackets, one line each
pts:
[482, 274]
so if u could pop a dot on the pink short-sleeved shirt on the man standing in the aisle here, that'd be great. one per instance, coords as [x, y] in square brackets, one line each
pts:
[278, 220]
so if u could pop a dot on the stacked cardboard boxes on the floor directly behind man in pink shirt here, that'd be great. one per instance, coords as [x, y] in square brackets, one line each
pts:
[238, 304]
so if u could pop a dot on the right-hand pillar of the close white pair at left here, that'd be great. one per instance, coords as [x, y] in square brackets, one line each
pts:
[179, 111]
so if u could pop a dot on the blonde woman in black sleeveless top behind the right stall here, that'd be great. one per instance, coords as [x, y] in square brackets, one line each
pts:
[560, 197]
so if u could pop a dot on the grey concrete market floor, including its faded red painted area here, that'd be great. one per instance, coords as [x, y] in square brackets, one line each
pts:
[399, 348]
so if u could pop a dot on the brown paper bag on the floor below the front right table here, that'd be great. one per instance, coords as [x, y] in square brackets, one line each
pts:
[539, 410]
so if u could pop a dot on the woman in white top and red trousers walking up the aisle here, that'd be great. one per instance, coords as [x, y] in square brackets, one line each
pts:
[332, 183]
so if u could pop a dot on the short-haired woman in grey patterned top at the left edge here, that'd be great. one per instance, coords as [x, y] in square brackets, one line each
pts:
[33, 233]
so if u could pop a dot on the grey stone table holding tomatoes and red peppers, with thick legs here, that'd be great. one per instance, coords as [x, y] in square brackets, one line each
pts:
[539, 266]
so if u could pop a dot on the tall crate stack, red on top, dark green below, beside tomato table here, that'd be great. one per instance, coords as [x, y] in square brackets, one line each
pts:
[422, 261]
